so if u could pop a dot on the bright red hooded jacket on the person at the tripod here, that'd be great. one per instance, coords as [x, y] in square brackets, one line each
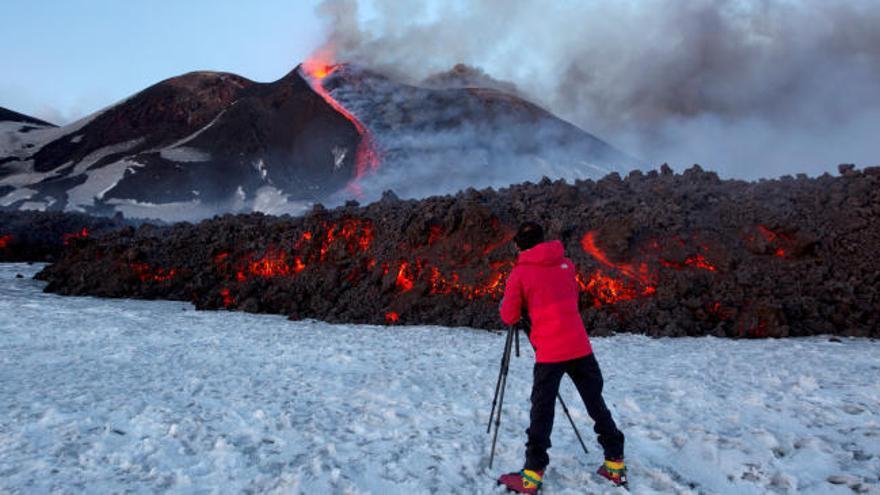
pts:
[544, 281]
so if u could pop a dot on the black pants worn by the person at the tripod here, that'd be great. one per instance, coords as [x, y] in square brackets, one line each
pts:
[587, 377]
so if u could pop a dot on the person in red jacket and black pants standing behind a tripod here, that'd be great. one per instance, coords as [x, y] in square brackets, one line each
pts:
[543, 283]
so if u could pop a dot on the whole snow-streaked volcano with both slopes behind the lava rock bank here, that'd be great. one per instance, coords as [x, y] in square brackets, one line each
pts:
[208, 142]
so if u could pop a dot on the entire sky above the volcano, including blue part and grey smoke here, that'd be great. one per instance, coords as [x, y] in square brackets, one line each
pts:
[748, 88]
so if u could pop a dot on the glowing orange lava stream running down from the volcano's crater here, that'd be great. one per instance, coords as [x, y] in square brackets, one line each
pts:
[318, 68]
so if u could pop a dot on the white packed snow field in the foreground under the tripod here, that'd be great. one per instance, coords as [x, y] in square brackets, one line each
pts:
[118, 396]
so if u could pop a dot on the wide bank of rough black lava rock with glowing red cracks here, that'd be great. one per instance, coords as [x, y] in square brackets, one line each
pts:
[660, 253]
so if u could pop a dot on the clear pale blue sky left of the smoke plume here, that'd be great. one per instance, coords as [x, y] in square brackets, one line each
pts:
[63, 59]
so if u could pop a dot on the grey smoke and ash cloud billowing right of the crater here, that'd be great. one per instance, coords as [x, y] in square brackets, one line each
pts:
[751, 88]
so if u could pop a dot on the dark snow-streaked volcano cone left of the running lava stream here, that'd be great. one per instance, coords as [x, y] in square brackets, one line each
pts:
[202, 142]
